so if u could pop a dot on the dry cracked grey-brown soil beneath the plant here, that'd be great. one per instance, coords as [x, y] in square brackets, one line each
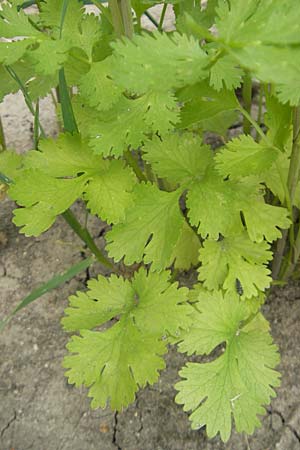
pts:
[40, 411]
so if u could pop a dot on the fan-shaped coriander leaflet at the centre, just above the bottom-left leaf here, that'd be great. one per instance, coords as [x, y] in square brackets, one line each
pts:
[156, 215]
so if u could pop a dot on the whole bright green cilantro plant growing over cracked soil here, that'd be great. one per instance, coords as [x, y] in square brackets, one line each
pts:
[136, 110]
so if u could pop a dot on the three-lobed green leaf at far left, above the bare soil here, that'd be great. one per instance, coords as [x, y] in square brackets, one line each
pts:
[68, 166]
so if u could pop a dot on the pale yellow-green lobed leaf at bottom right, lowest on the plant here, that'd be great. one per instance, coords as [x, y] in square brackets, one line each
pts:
[237, 384]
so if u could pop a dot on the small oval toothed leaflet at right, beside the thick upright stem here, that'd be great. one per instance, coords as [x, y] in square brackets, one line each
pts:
[243, 156]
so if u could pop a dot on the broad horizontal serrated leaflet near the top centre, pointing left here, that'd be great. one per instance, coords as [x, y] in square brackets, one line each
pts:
[161, 62]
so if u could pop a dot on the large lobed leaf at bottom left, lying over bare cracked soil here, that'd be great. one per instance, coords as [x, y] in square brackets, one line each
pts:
[118, 360]
